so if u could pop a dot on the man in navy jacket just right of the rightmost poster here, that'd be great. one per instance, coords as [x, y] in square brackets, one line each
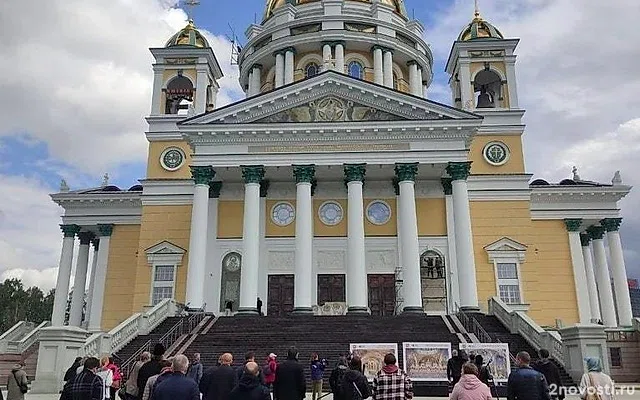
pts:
[525, 383]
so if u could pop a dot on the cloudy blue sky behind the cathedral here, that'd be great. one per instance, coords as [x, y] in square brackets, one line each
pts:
[78, 81]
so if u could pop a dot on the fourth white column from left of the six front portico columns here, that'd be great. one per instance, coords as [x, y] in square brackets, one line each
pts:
[357, 298]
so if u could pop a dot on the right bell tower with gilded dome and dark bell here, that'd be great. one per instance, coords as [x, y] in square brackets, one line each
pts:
[481, 67]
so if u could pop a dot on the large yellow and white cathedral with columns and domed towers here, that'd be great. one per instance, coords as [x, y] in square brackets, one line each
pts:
[338, 187]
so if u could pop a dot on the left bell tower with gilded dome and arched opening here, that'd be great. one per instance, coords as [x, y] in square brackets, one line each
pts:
[186, 75]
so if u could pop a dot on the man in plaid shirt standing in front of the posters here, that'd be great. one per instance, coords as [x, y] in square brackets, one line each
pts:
[392, 383]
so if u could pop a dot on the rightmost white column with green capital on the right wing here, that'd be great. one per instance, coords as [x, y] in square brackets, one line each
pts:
[619, 271]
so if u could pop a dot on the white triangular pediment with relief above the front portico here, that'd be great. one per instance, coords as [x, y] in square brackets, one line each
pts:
[330, 97]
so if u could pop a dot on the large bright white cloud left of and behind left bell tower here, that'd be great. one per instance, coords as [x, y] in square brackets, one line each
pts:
[78, 75]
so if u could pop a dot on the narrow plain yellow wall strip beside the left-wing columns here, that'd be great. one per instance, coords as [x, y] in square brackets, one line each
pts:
[119, 285]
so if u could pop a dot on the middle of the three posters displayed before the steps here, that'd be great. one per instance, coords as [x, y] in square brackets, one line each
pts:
[426, 361]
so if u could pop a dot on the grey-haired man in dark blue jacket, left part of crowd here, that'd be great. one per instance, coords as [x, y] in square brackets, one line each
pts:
[177, 385]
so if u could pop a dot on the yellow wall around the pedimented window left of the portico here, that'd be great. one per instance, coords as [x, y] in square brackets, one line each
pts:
[159, 223]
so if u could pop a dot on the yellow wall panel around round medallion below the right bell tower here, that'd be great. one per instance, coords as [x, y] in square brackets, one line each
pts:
[515, 163]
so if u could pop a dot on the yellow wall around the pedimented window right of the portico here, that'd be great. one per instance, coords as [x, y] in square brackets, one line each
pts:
[547, 256]
